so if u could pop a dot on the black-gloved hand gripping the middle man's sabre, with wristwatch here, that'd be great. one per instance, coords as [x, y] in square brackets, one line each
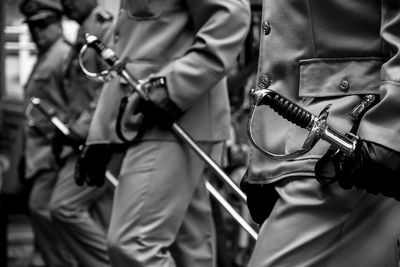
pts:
[159, 108]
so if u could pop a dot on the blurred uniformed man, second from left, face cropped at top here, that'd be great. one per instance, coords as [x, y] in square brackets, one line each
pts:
[72, 205]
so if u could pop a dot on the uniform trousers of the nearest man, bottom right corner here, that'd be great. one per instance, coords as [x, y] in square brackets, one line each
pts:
[324, 225]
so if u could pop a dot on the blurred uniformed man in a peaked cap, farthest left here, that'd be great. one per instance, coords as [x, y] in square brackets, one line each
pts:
[43, 18]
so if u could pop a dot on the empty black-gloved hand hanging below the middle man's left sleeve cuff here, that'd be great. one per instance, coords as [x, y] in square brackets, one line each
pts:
[92, 164]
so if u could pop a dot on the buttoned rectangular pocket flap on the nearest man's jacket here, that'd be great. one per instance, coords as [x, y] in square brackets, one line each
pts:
[329, 77]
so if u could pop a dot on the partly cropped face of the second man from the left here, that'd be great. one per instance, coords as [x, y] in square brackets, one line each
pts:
[77, 10]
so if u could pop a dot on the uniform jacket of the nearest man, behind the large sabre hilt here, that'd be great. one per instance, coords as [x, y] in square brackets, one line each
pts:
[326, 52]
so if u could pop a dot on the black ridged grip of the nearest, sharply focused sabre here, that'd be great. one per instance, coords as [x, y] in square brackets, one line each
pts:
[287, 109]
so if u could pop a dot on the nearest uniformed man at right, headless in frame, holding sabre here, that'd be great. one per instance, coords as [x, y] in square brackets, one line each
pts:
[317, 53]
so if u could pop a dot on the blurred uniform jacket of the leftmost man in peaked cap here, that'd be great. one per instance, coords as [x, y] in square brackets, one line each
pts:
[46, 83]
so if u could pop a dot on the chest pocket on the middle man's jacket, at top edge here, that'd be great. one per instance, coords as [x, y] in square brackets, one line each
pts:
[145, 9]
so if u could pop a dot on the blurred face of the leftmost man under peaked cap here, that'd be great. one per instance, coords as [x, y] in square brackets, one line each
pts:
[44, 33]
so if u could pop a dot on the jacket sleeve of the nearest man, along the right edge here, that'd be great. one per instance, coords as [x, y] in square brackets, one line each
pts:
[381, 124]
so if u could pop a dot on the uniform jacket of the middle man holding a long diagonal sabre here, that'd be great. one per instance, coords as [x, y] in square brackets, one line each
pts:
[193, 43]
